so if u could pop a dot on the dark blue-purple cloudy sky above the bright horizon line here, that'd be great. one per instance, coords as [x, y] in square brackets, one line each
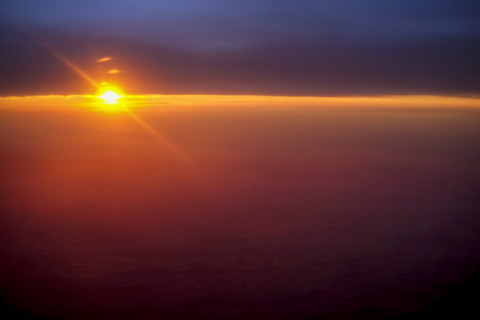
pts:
[318, 48]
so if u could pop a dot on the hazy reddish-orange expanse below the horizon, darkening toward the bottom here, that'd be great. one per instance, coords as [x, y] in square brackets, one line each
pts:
[257, 207]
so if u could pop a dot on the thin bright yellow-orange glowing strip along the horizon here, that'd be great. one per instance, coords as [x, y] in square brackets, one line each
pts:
[171, 100]
